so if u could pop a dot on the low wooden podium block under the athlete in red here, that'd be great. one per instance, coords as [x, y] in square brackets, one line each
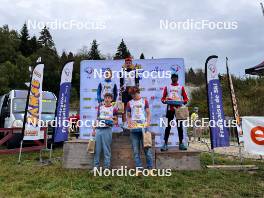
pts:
[178, 160]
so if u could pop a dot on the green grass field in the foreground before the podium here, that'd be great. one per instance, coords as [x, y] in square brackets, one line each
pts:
[30, 179]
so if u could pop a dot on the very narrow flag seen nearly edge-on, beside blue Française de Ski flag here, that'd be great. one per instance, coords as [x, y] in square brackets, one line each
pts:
[235, 107]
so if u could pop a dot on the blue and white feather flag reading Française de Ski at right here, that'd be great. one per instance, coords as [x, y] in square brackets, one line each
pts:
[218, 132]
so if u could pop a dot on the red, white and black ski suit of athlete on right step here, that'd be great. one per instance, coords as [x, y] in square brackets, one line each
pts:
[175, 92]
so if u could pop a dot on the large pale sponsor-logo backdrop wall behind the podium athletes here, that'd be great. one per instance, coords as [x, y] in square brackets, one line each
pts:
[151, 88]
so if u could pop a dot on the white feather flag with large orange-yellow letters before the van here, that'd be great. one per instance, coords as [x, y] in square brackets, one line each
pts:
[31, 128]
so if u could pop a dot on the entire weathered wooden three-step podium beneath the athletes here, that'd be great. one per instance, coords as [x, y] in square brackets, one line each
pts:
[75, 155]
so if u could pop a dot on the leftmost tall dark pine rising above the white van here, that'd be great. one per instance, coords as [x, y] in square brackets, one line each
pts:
[24, 46]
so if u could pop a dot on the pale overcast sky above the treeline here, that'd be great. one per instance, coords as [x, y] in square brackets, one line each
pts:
[141, 25]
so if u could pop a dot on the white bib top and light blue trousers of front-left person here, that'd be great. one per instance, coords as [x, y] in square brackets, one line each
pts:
[103, 137]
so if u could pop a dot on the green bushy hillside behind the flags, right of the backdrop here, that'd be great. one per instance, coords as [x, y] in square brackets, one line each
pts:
[249, 94]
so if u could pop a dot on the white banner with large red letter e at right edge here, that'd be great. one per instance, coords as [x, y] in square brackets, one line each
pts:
[253, 134]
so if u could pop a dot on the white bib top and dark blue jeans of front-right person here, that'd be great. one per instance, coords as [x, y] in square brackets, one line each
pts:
[137, 109]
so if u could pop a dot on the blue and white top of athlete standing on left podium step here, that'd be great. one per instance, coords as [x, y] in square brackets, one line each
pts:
[107, 86]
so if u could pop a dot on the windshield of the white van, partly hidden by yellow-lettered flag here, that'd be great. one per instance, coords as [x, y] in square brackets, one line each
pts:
[48, 106]
